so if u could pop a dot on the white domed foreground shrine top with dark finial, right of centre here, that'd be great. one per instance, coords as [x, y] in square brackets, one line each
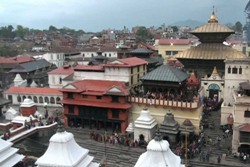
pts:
[158, 154]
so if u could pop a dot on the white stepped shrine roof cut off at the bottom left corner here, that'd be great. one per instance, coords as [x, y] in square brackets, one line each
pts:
[8, 154]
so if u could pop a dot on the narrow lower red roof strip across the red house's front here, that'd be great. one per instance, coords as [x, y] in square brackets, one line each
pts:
[97, 104]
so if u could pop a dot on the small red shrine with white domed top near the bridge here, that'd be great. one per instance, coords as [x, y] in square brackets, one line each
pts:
[28, 107]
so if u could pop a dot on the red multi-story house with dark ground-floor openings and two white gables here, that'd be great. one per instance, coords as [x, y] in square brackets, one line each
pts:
[97, 104]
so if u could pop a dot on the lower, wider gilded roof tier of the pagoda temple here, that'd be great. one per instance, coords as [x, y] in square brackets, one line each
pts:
[211, 51]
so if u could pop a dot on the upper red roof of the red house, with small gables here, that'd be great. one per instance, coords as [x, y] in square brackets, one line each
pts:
[100, 87]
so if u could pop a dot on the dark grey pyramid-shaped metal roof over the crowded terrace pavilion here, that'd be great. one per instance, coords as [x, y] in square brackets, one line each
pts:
[166, 73]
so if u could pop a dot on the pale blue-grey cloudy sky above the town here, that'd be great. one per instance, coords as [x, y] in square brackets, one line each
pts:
[96, 15]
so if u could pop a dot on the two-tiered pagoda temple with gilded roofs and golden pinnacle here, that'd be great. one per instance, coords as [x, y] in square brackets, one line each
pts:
[211, 51]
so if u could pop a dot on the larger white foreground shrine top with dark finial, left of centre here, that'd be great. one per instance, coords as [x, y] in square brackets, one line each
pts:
[63, 151]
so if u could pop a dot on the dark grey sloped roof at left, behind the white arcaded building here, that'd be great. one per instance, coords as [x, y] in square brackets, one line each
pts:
[31, 66]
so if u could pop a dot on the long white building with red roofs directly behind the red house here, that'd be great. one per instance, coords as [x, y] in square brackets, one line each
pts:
[128, 70]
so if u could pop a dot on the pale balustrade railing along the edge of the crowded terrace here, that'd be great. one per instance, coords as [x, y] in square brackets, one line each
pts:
[164, 103]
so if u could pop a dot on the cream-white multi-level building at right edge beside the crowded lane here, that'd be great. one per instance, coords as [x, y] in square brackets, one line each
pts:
[236, 106]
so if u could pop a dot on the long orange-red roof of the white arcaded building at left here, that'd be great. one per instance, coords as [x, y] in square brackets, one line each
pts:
[34, 91]
